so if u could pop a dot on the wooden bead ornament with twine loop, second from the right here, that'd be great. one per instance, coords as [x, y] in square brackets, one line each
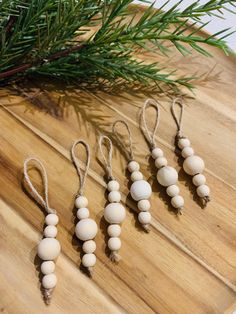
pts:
[167, 176]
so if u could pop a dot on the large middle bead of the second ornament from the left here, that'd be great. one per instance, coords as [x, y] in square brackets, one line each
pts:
[86, 229]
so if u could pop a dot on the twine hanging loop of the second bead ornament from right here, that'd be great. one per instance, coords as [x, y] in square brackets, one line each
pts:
[150, 135]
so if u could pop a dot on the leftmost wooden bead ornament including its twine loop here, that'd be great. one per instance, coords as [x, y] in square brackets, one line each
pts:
[49, 247]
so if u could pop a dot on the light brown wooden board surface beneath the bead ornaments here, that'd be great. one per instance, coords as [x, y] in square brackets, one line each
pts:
[185, 264]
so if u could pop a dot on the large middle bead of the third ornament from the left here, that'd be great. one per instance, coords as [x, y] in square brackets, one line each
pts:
[114, 213]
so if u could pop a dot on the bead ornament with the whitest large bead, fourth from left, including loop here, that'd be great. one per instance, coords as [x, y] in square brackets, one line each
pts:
[140, 189]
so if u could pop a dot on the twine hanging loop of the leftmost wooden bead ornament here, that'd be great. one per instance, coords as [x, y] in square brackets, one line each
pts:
[42, 200]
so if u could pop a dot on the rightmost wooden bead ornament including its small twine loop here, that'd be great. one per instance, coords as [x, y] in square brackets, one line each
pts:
[193, 165]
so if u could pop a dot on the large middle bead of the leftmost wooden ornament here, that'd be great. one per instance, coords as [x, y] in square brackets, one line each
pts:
[49, 249]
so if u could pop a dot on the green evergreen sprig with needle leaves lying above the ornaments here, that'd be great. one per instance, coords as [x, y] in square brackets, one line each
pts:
[86, 41]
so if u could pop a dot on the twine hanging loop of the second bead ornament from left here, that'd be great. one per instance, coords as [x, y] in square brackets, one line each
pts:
[82, 178]
